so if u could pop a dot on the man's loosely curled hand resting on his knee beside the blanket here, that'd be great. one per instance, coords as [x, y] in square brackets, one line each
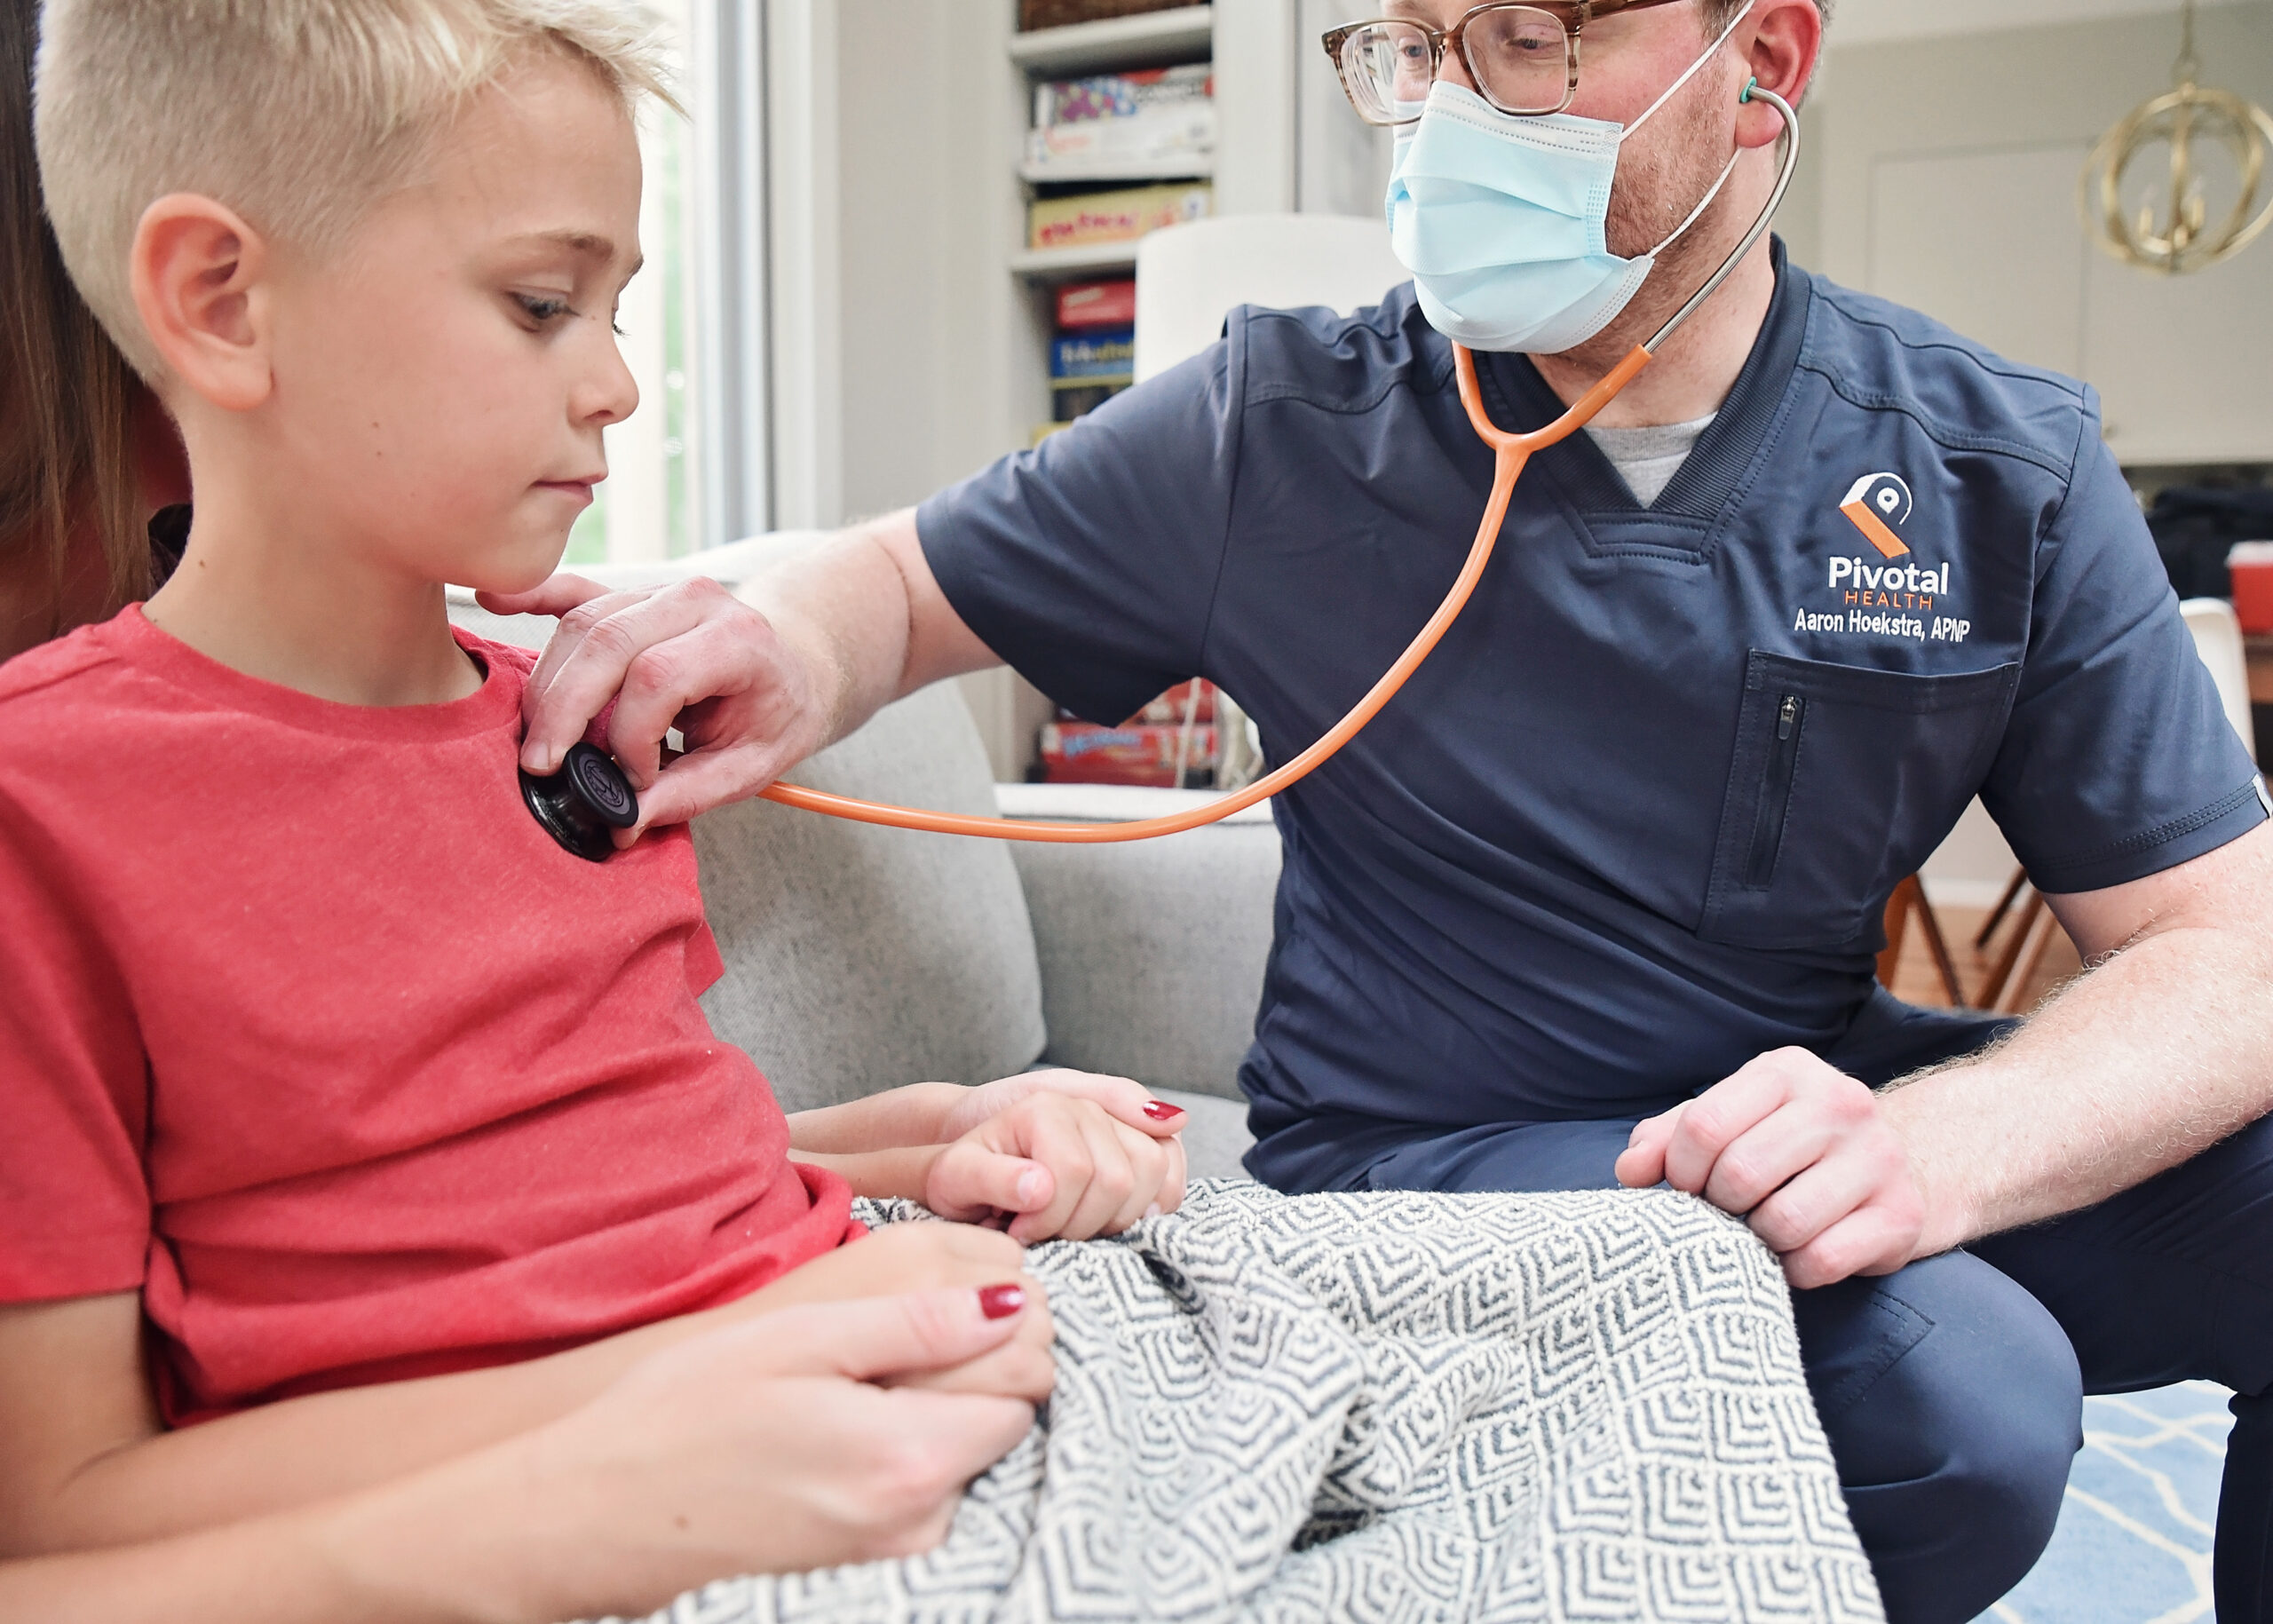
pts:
[1806, 1154]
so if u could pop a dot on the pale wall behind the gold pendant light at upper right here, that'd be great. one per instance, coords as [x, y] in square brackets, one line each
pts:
[1949, 174]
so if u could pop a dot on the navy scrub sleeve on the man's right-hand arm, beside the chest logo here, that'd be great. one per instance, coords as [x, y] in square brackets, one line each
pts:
[2117, 761]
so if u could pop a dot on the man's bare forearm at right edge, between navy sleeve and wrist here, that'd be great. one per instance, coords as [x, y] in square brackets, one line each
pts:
[2151, 1059]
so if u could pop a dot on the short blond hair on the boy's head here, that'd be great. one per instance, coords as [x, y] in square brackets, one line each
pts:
[299, 115]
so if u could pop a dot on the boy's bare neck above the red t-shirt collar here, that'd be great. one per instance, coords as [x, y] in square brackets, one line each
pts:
[308, 613]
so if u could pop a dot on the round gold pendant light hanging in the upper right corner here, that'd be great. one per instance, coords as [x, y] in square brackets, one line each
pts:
[2181, 119]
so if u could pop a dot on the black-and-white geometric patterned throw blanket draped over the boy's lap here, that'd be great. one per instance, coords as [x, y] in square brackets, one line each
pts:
[1388, 1407]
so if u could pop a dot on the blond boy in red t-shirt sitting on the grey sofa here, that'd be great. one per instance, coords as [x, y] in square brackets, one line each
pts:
[344, 1102]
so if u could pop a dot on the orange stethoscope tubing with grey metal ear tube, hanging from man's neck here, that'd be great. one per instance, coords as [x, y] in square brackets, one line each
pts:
[1510, 454]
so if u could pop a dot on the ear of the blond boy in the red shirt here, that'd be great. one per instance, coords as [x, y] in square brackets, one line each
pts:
[201, 285]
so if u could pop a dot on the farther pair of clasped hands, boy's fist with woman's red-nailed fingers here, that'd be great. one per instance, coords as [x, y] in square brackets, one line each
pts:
[1058, 1154]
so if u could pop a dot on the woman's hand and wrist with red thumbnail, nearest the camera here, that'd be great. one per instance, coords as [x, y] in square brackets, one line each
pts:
[783, 1443]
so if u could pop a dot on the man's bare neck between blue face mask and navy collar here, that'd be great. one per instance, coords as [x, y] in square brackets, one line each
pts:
[1699, 365]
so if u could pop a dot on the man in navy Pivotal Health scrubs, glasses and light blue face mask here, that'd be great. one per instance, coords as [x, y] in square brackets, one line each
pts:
[1597, 897]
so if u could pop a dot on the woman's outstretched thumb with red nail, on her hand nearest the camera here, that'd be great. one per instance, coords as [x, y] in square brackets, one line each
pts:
[885, 1336]
